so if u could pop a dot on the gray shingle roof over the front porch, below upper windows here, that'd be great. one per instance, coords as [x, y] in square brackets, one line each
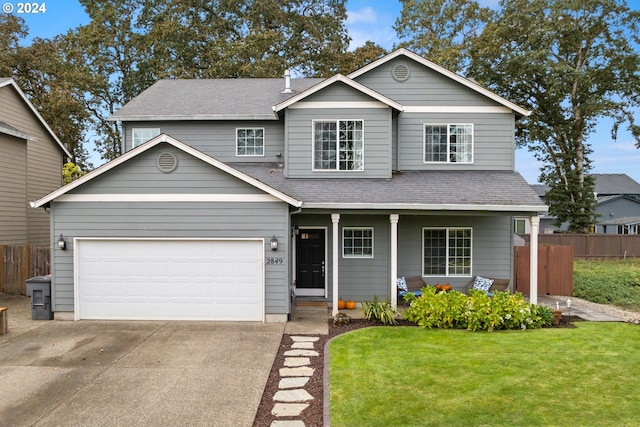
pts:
[490, 188]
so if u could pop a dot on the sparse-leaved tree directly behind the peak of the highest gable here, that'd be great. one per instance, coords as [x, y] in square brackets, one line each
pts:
[442, 30]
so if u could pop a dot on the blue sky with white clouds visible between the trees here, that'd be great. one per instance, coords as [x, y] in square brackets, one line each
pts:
[367, 20]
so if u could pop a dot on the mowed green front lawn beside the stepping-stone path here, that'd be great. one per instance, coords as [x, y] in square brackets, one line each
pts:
[409, 376]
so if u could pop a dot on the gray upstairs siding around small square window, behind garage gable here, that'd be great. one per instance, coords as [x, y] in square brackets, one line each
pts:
[217, 138]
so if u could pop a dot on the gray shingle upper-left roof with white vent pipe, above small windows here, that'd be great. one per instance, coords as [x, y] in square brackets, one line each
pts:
[208, 99]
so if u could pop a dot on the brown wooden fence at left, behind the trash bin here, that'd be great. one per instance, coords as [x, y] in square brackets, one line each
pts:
[19, 263]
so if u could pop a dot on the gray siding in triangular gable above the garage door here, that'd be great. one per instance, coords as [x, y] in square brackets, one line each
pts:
[141, 176]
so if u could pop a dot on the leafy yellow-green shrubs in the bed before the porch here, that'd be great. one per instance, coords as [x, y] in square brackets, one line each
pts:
[475, 312]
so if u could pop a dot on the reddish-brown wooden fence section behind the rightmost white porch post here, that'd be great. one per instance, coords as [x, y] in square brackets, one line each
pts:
[555, 270]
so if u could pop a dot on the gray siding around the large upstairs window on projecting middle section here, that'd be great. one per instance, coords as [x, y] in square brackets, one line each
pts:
[377, 142]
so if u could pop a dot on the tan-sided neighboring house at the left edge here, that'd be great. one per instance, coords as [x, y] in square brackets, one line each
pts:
[32, 158]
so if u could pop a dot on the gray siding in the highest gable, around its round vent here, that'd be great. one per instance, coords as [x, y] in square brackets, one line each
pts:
[423, 87]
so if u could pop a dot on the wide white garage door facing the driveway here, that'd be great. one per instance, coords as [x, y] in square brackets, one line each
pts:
[169, 279]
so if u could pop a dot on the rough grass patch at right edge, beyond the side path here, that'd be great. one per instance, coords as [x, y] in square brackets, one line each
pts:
[614, 282]
